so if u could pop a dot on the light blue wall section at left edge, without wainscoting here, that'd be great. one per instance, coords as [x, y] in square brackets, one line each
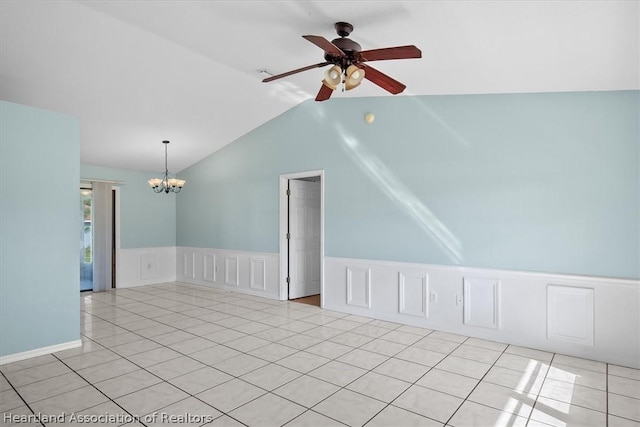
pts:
[40, 225]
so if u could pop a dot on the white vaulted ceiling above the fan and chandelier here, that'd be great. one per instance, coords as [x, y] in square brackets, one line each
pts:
[138, 72]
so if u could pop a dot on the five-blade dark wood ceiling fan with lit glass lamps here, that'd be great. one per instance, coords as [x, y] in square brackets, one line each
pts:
[348, 60]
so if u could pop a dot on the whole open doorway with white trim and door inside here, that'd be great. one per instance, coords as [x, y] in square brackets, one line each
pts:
[302, 237]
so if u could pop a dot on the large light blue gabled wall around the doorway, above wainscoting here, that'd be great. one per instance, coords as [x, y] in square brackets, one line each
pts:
[534, 182]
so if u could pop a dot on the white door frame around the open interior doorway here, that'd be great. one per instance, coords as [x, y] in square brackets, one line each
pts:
[284, 219]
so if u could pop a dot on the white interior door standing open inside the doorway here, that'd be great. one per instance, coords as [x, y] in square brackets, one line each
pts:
[304, 238]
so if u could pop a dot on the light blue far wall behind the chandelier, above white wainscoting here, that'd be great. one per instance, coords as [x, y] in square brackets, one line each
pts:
[147, 219]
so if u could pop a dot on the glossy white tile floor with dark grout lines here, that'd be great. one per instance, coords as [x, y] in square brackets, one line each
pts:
[176, 353]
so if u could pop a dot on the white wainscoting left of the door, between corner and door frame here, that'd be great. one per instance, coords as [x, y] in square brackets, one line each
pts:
[255, 273]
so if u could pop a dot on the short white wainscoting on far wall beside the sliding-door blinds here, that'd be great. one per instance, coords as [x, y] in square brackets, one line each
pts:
[145, 266]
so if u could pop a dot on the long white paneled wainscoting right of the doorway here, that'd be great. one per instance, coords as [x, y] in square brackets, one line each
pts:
[591, 317]
